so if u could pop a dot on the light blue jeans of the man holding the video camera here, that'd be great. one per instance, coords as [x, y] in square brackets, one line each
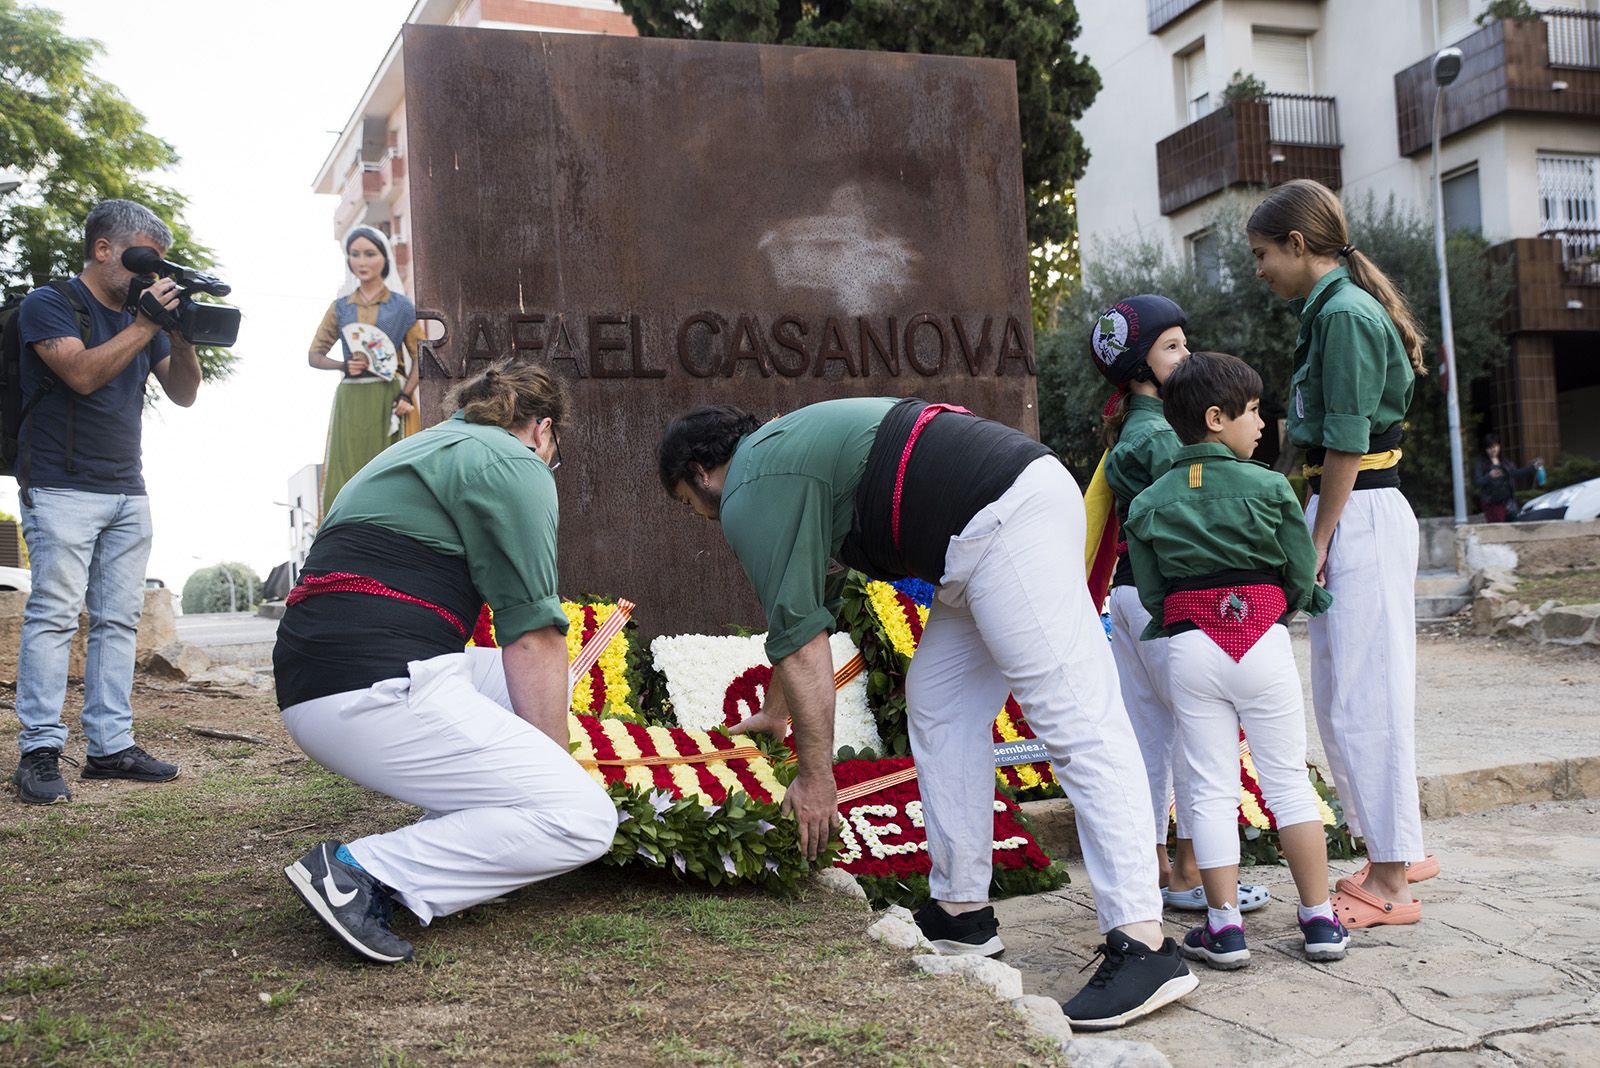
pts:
[82, 546]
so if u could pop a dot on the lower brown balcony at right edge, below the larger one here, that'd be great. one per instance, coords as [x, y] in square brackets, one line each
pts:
[1556, 282]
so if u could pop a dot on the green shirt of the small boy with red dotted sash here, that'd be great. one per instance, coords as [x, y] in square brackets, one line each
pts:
[1241, 517]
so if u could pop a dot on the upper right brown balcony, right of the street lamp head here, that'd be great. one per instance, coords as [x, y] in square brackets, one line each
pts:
[1546, 66]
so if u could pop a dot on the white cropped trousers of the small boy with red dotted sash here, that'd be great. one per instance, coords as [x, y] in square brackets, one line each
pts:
[1217, 696]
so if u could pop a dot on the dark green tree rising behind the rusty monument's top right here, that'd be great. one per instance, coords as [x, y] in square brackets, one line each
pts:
[1054, 84]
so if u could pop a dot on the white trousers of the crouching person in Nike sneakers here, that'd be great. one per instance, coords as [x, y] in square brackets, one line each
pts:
[506, 805]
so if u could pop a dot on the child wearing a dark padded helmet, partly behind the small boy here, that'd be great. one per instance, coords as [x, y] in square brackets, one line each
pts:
[1137, 345]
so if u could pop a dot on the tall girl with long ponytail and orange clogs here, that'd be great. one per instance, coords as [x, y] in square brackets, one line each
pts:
[1356, 369]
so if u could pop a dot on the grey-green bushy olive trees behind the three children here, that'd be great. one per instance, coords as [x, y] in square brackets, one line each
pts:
[1238, 314]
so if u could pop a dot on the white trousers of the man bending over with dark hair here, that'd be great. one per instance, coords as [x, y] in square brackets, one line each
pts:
[1014, 616]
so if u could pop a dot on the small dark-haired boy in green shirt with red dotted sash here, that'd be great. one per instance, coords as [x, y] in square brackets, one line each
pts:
[1223, 559]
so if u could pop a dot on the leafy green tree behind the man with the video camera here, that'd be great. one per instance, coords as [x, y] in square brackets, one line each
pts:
[76, 141]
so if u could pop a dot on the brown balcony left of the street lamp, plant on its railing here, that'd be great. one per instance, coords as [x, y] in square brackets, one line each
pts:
[1250, 143]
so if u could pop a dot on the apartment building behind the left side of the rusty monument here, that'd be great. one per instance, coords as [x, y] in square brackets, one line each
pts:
[367, 167]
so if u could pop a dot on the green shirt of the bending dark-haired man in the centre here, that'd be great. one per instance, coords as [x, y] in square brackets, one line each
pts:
[786, 508]
